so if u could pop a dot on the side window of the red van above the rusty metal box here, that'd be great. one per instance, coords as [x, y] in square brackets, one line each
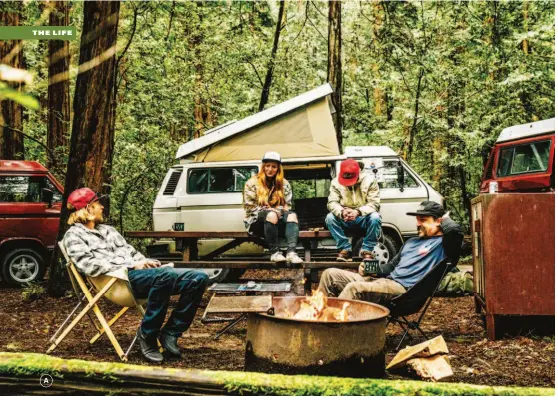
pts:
[524, 159]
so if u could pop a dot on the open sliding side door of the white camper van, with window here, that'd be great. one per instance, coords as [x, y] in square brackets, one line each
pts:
[214, 197]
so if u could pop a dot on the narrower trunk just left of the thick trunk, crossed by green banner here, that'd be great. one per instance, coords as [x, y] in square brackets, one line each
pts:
[58, 110]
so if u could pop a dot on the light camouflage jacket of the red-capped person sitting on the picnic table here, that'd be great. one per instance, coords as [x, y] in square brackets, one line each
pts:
[364, 196]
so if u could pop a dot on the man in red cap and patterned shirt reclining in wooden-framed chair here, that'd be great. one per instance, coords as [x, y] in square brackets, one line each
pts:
[97, 249]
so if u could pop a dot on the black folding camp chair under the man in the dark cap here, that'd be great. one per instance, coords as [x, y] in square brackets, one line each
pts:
[416, 298]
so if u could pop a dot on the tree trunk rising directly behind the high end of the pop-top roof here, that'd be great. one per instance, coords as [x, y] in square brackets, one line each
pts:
[334, 65]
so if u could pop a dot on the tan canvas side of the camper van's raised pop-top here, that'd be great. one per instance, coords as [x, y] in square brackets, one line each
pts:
[305, 132]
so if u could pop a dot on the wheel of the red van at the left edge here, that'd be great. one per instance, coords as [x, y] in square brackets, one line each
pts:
[22, 266]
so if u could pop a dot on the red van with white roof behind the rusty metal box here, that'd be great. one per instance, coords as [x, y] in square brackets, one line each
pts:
[522, 159]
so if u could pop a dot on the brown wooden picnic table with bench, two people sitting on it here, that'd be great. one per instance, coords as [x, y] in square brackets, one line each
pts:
[186, 243]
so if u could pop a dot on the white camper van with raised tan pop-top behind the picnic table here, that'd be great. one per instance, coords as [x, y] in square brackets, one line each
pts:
[203, 190]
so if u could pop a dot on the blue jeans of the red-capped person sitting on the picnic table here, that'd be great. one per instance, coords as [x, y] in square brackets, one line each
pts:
[371, 223]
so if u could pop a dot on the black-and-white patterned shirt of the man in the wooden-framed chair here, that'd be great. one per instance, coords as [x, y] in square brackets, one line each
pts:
[99, 251]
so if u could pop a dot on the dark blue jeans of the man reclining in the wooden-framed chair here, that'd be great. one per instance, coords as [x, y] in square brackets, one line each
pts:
[157, 285]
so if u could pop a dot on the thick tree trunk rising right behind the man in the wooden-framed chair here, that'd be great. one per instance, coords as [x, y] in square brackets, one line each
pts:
[92, 141]
